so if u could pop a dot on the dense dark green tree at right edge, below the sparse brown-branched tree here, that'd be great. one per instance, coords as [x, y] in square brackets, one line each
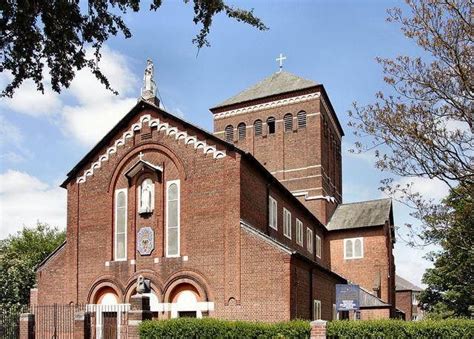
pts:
[451, 280]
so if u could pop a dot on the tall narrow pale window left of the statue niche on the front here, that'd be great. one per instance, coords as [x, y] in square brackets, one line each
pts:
[120, 224]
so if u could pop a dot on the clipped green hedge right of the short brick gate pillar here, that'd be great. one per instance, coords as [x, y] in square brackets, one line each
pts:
[455, 328]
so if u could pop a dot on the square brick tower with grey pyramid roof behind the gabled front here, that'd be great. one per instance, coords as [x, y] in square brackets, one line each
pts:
[289, 125]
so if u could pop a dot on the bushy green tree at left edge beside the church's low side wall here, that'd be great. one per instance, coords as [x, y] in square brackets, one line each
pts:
[19, 256]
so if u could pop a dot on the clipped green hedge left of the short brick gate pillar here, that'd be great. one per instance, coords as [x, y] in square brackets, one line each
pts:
[214, 328]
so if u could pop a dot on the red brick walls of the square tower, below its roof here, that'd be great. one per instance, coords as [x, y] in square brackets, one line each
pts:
[287, 155]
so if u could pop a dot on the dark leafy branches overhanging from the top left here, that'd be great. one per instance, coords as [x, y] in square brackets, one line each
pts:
[55, 33]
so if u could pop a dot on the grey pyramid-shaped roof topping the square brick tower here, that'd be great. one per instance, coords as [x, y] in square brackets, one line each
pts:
[276, 83]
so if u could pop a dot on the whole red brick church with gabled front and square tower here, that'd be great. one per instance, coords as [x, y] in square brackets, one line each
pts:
[245, 223]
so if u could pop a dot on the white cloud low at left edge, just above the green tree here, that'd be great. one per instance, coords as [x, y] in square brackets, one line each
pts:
[25, 199]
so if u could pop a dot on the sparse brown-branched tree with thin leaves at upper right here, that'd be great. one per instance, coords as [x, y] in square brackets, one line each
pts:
[424, 126]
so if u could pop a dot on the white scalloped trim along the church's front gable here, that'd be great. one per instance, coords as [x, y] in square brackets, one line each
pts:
[170, 131]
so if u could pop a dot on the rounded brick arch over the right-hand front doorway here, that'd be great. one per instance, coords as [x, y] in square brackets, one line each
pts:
[187, 277]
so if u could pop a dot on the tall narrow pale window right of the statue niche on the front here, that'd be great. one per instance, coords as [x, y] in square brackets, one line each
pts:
[172, 219]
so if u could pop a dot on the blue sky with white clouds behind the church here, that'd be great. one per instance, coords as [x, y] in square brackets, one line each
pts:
[331, 42]
